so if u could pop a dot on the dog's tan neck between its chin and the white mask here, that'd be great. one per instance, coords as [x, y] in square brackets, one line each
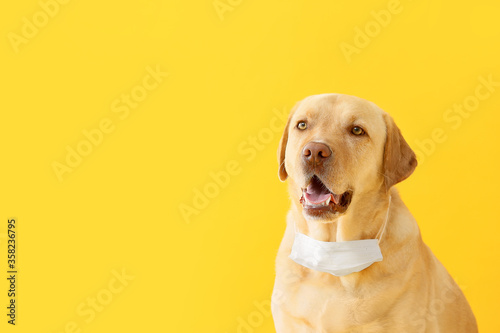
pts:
[364, 219]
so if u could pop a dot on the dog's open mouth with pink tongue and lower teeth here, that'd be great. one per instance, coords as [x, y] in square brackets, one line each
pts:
[317, 198]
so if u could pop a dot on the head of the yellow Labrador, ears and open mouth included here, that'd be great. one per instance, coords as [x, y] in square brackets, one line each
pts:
[337, 148]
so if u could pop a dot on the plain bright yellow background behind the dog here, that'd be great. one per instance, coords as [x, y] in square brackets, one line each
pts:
[120, 209]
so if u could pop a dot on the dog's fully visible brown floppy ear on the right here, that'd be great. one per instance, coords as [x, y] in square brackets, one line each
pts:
[399, 160]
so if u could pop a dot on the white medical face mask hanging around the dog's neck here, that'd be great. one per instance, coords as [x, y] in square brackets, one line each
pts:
[337, 258]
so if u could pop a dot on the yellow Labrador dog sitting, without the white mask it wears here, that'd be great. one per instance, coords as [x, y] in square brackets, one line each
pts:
[342, 155]
